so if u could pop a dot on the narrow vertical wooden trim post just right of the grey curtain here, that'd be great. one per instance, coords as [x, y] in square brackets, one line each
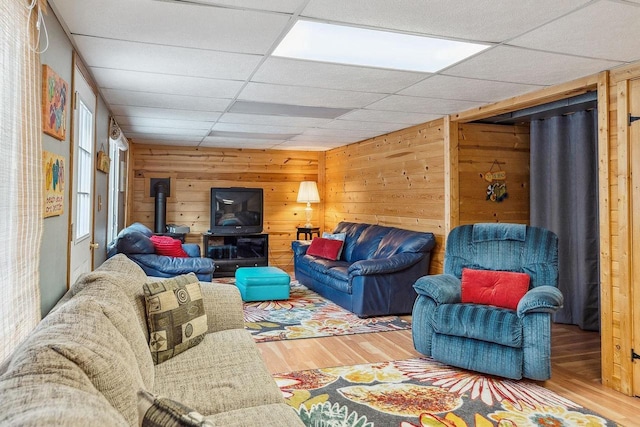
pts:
[604, 192]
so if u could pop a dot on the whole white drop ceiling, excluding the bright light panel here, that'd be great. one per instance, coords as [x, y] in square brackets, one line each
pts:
[201, 72]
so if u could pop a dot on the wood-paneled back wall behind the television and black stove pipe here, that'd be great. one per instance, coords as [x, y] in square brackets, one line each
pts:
[193, 171]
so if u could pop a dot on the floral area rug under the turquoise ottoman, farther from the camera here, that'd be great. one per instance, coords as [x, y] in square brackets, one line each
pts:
[308, 315]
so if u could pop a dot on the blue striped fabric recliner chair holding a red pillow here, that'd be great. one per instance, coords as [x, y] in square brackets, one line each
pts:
[485, 338]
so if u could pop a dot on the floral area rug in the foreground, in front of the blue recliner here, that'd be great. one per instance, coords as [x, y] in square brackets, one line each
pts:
[422, 392]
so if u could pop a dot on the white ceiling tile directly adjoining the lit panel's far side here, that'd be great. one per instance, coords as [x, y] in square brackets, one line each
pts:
[333, 76]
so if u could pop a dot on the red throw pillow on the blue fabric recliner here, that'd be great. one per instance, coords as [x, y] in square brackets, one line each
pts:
[500, 288]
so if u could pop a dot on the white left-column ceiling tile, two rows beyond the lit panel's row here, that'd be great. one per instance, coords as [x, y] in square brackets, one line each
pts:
[163, 83]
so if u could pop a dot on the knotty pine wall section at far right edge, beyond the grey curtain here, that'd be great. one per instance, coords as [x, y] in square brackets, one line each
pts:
[620, 315]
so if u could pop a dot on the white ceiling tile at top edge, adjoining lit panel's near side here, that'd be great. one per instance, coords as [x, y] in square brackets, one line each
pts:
[489, 20]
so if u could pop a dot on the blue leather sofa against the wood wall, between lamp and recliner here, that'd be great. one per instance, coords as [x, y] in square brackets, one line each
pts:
[375, 273]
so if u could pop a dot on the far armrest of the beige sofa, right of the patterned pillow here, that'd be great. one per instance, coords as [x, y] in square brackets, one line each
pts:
[223, 306]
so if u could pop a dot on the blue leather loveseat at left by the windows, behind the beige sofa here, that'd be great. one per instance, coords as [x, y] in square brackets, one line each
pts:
[134, 241]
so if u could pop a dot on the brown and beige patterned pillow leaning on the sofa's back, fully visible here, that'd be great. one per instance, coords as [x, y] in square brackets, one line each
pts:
[175, 314]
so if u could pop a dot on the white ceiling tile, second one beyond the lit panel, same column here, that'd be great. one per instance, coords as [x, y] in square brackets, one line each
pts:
[313, 97]
